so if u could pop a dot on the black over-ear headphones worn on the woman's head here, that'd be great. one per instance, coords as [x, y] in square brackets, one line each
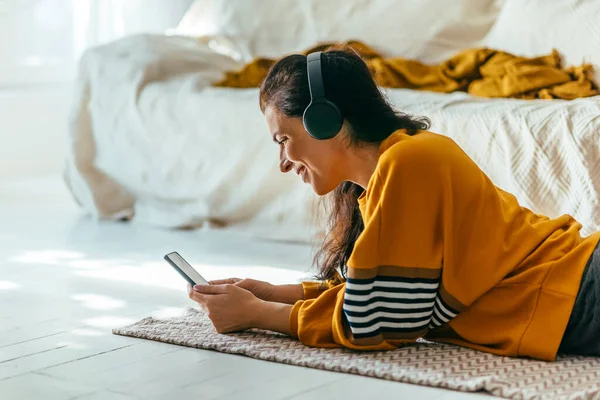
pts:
[322, 119]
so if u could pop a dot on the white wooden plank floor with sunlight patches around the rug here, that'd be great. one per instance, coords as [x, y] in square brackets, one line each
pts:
[65, 281]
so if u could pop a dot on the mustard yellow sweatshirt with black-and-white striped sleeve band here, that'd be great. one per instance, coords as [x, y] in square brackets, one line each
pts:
[447, 256]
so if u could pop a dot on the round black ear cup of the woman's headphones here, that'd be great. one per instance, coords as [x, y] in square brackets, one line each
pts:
[322, 119]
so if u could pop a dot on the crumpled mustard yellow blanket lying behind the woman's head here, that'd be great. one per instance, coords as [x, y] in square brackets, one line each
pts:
[480, 72]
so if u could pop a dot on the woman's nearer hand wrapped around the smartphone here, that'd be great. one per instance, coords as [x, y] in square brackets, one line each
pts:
[229, 307]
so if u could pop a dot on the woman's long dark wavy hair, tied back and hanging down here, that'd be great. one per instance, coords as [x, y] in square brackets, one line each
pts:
[370, 117]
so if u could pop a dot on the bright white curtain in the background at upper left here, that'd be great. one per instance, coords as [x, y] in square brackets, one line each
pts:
[43, 39]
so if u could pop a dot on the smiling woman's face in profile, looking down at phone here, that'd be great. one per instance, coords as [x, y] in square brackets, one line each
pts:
[321, 163]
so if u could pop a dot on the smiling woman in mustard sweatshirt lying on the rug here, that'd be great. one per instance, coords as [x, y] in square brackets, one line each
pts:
[428, 245]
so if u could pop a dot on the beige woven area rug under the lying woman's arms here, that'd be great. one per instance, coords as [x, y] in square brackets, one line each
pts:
[424, 363]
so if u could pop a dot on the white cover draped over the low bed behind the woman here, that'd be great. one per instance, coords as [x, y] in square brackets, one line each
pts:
[151, 139]
